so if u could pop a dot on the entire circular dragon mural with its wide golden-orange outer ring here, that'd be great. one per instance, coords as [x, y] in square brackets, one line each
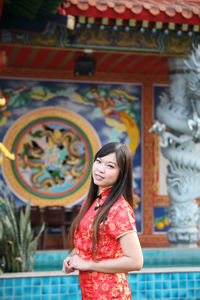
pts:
[54, 149]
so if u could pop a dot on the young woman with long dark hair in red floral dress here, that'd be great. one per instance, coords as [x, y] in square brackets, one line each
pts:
[103, 236]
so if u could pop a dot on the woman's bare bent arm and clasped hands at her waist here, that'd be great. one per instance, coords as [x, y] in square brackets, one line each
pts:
[132, 260]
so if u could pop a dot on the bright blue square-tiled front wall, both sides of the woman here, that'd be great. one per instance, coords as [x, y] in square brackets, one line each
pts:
[168, 285]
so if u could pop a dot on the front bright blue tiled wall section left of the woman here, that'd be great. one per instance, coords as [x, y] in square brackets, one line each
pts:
[40, 288]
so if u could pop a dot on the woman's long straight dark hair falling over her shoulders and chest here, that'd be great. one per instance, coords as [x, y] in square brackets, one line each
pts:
[122, 186]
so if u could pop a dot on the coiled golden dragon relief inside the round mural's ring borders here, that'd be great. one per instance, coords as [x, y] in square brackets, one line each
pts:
[52, 156]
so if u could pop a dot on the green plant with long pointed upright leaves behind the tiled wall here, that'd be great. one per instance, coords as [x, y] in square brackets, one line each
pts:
[18, 245]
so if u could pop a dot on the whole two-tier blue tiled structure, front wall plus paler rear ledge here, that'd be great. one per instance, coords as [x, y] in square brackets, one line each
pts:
[151, 283]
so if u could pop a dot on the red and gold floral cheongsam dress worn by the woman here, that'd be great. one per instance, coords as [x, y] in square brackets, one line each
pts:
[120, 220]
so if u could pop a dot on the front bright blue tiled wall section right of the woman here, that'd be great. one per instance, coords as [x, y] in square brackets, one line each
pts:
[183, 285]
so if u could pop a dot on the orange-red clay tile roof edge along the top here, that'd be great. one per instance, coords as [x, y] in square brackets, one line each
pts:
[186, 8]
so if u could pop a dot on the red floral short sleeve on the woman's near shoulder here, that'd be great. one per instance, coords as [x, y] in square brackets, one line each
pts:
[121, 220]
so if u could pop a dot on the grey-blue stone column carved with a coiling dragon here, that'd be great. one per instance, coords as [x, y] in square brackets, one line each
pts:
[178, 125]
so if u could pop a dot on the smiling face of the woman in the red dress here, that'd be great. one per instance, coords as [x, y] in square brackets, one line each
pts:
[105, 171]
